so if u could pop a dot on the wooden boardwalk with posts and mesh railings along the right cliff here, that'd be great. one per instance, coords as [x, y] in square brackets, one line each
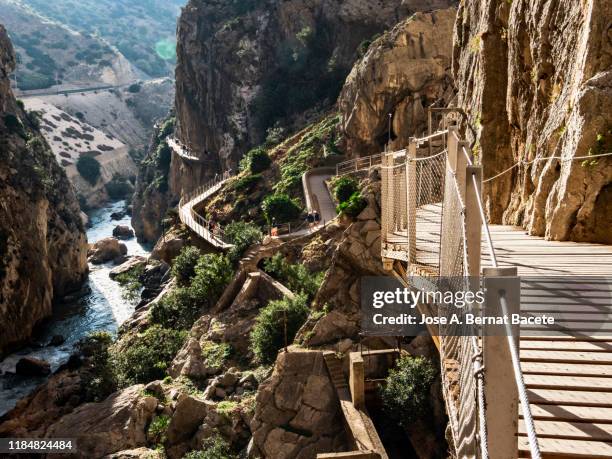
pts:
[541, 390]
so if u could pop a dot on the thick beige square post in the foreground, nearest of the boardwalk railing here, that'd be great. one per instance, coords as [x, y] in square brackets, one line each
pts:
[501, 392]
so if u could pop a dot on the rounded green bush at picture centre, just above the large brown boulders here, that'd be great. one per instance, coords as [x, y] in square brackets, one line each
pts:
[267, 336]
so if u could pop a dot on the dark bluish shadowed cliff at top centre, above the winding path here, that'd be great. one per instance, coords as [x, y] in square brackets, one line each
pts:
[244, 67]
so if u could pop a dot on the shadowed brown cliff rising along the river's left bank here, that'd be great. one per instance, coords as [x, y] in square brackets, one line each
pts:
[43, 248]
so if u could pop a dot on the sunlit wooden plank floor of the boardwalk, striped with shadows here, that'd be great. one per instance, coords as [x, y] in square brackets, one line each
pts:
[568, 371]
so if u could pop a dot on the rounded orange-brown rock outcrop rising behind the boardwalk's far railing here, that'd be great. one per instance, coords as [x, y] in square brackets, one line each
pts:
[403, 72]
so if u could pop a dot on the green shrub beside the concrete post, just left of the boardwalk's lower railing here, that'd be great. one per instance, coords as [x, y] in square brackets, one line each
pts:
[406, 394]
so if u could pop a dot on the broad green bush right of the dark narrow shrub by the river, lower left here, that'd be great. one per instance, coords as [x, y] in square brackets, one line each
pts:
[145, 357]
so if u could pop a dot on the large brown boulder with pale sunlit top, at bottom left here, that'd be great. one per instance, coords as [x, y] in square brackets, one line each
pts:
[118, 423]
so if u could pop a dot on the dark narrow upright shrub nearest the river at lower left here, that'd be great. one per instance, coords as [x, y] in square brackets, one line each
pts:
[101, 381]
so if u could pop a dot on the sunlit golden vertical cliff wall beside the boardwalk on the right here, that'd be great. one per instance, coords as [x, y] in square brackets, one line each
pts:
[536, 80]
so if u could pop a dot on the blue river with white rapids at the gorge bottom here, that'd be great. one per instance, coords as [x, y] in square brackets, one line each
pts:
[104, 308]
